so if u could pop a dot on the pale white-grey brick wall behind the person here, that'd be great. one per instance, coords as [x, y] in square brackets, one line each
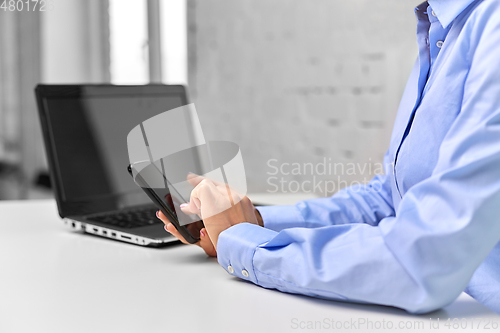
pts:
[301, 82]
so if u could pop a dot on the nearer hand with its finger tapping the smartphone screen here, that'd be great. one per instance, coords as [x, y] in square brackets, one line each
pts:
[219, 206]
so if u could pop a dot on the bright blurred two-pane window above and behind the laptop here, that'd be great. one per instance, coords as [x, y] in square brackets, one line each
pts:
[129, 41]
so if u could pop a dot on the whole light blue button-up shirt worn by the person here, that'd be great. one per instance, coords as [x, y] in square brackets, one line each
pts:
[428, 229]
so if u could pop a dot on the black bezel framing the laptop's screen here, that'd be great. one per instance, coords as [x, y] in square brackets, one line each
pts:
[71, 208]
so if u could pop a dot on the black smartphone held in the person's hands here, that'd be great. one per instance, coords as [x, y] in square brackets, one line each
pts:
[165, 201]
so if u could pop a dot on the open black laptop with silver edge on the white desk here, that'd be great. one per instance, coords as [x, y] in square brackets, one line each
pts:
[85, 131]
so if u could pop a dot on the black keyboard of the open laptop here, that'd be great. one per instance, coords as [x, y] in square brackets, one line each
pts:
[128, 219]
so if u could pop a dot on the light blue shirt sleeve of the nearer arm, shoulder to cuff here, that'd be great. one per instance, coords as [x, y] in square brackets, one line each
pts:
[423, 257]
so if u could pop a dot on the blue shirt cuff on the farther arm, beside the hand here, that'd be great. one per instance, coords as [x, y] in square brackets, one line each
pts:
[278, 218]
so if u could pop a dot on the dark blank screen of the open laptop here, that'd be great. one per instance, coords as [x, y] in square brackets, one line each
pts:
[88, 132]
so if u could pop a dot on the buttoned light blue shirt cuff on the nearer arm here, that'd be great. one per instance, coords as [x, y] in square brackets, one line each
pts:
[236, 247]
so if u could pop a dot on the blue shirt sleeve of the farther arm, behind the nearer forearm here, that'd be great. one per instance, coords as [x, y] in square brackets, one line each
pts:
[368, 203]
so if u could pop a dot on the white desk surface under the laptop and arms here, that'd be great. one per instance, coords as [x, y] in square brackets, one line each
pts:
[53, 280]
